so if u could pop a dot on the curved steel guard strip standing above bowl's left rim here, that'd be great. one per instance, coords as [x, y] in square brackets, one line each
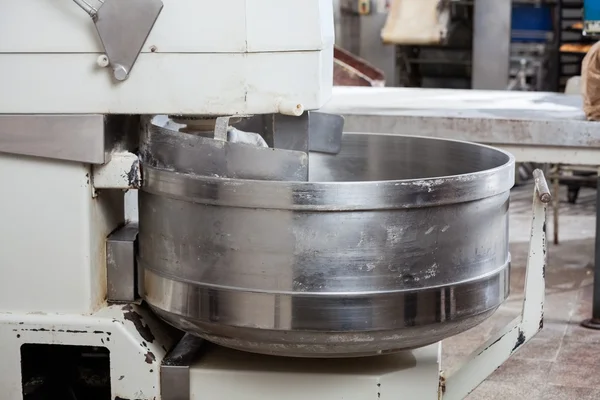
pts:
[164, 146]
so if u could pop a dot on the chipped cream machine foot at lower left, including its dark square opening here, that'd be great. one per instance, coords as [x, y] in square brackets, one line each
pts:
[134, 340]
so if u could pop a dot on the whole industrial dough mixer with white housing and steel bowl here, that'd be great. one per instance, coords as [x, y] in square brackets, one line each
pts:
[262, 226]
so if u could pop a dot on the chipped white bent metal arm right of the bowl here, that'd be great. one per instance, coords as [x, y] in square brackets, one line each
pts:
[487, 358]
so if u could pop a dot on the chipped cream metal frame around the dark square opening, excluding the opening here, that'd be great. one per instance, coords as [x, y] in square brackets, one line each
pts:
[135, 338]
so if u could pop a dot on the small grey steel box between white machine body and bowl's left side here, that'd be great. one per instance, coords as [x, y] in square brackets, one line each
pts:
[120, 264]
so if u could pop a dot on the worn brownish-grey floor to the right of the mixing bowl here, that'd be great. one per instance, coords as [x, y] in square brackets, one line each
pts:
[563, 360]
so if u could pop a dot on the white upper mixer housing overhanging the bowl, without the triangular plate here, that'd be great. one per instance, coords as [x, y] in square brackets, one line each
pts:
[201, 57]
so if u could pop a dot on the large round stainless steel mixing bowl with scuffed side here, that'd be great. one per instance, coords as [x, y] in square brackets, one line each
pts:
[397, 242]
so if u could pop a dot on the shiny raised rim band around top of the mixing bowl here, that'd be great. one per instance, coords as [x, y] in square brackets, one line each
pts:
[333, 196]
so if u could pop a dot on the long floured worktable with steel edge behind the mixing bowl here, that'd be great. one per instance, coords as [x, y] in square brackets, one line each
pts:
[533, 126]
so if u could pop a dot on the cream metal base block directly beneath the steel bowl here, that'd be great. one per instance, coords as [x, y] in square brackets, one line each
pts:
[222, 373]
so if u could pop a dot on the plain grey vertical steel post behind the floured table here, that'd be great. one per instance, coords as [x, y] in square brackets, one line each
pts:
[491, 44]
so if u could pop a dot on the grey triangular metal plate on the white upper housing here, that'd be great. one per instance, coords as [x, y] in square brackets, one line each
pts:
[123, 27]
